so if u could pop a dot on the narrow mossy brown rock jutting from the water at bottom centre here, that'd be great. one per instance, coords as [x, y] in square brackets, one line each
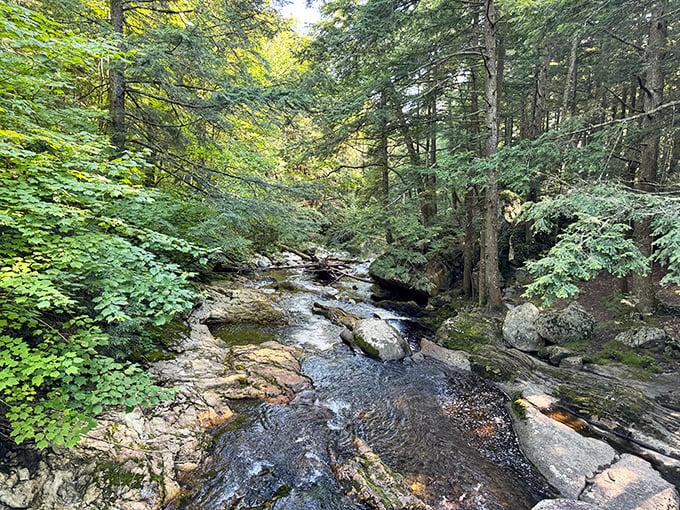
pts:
[368, 481]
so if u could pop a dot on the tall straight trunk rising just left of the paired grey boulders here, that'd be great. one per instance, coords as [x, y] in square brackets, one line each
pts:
[491, 276]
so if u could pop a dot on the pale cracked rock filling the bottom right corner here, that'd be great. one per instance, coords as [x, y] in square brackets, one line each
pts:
[631, 484]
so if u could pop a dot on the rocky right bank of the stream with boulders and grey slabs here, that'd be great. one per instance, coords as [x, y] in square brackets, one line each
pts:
[603, 436]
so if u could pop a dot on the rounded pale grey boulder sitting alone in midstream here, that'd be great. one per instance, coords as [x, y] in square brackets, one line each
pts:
[380, 340]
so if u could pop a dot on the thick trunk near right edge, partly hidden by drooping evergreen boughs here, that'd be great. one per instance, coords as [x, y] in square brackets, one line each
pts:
[649, 146]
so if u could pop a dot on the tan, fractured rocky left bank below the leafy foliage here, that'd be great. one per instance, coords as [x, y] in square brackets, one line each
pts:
[136, 460]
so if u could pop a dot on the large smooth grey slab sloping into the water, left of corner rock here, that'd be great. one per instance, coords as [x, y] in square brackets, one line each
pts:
[564, 457]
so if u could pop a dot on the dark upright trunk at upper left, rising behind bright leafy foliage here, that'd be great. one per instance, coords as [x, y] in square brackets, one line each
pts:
[117, 81]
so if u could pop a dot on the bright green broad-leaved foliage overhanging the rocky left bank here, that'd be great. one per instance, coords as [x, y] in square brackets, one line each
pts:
[71, 270]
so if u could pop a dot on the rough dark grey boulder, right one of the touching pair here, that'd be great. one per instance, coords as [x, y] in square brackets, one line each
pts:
[572, 324]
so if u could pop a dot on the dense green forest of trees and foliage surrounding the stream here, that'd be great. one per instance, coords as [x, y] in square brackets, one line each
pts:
[146, 144]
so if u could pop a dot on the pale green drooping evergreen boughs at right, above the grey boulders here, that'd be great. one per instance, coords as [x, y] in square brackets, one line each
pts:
[598, 237]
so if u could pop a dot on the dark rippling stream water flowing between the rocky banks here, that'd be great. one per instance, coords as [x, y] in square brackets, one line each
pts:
[445, 431]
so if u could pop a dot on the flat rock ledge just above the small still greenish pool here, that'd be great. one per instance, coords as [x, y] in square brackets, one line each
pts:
[222, 305]
